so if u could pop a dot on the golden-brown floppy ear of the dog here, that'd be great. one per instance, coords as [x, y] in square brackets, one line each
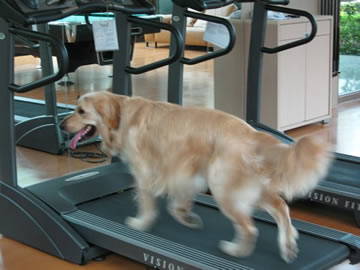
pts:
[109, 109]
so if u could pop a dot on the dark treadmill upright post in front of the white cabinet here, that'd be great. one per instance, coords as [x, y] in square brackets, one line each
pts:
[256, 56]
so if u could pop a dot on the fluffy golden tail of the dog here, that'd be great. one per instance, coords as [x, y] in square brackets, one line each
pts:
[298, 168]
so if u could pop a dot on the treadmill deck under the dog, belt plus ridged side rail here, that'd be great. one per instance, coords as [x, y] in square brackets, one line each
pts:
[101, 222]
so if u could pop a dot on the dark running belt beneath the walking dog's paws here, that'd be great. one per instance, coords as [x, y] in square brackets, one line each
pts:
[314, 252]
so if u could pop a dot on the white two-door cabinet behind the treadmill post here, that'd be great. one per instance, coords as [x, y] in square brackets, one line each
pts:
[296, 84]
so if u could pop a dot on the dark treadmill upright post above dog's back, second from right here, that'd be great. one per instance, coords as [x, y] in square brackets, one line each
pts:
[176, 70]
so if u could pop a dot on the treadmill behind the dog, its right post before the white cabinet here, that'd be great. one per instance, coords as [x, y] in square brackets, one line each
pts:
[341, 187]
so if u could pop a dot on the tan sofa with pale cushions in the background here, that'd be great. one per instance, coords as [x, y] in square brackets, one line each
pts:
[194, 31]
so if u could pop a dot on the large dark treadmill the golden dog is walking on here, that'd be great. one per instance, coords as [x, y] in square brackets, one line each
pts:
[80, 216]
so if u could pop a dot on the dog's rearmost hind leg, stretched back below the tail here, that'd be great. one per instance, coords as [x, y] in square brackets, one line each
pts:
[288, 235]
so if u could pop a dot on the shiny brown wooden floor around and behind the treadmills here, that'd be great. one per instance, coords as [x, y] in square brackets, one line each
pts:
[33, 166]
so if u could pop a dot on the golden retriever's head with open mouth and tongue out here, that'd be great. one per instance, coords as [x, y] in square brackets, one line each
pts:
[94, 113]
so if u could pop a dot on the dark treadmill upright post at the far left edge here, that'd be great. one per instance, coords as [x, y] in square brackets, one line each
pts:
[7, 137]
